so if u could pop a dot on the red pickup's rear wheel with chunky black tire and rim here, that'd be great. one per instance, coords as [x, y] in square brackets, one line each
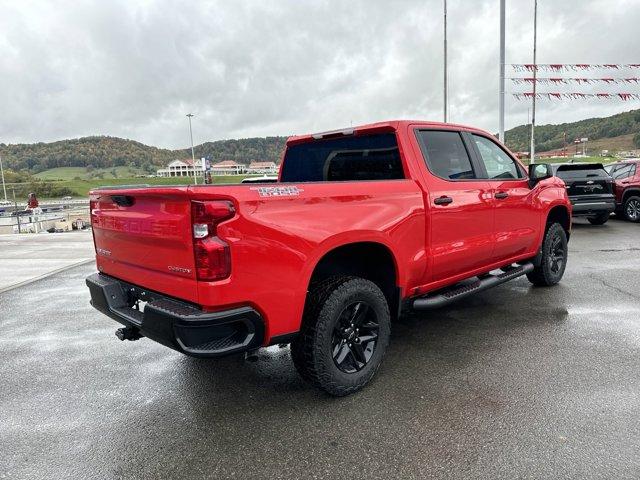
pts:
[331, 352]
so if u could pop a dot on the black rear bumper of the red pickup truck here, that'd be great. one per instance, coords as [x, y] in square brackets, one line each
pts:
[175, 324]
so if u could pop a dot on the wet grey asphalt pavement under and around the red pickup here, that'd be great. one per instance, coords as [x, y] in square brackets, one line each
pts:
[515, 382]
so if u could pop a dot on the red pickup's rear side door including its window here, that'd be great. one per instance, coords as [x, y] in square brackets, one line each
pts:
[459, 205]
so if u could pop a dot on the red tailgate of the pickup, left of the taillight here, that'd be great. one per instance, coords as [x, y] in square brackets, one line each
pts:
[143, 236]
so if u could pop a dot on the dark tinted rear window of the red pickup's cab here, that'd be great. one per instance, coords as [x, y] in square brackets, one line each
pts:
[366, 157]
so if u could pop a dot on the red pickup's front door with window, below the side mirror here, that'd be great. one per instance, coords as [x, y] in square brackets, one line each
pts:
[516, 219]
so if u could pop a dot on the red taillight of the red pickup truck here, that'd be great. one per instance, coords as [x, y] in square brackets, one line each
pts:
[212, 255]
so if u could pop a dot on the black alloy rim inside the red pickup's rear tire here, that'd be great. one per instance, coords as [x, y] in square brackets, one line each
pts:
[355, 337]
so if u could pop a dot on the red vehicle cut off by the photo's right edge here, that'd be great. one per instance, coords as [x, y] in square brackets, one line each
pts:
[626, 177]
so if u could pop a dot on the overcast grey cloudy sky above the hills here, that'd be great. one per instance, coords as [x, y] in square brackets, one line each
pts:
[134, 68]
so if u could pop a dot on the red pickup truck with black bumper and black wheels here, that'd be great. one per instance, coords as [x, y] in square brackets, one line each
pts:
[361, 224]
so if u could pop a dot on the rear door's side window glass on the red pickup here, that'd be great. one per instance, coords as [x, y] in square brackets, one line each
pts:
[445, 154]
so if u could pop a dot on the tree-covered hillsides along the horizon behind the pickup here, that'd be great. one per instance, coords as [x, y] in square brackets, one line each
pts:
[102, 157]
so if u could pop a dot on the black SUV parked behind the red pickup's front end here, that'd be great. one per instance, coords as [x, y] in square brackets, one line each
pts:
[590, 189]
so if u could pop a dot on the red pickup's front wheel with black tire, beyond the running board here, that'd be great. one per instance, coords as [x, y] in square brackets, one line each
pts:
[554, 257]
